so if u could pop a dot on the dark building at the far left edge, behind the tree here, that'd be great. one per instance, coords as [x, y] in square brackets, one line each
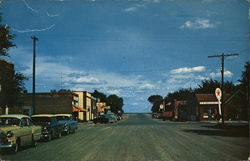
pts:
[6, 76]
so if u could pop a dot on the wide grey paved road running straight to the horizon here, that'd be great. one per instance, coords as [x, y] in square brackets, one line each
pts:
[139, 137]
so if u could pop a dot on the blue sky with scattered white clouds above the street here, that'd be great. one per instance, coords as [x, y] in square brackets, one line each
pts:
[131, 48]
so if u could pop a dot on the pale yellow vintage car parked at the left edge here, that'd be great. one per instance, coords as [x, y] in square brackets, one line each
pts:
[17, 131]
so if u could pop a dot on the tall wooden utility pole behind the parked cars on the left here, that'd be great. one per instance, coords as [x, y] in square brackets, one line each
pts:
[34, 38]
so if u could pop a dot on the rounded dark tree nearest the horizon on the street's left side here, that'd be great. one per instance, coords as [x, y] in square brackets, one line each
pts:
[115, 103]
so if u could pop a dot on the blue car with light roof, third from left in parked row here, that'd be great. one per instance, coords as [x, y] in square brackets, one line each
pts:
[68, 122]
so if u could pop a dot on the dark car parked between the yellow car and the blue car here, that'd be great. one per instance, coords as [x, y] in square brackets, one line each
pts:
[51, 128]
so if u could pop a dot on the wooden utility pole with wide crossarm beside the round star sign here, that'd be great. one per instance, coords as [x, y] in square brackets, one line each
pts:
[222, 56]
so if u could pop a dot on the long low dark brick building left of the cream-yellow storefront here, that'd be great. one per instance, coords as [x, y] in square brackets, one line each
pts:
[49, 103]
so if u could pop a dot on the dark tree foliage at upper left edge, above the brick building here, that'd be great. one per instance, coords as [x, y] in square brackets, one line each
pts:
[5, 39]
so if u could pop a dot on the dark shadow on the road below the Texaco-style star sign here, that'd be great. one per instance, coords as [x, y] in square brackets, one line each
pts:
[226, 130]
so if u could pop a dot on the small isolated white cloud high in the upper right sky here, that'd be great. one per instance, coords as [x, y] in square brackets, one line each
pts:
[199, 23]
